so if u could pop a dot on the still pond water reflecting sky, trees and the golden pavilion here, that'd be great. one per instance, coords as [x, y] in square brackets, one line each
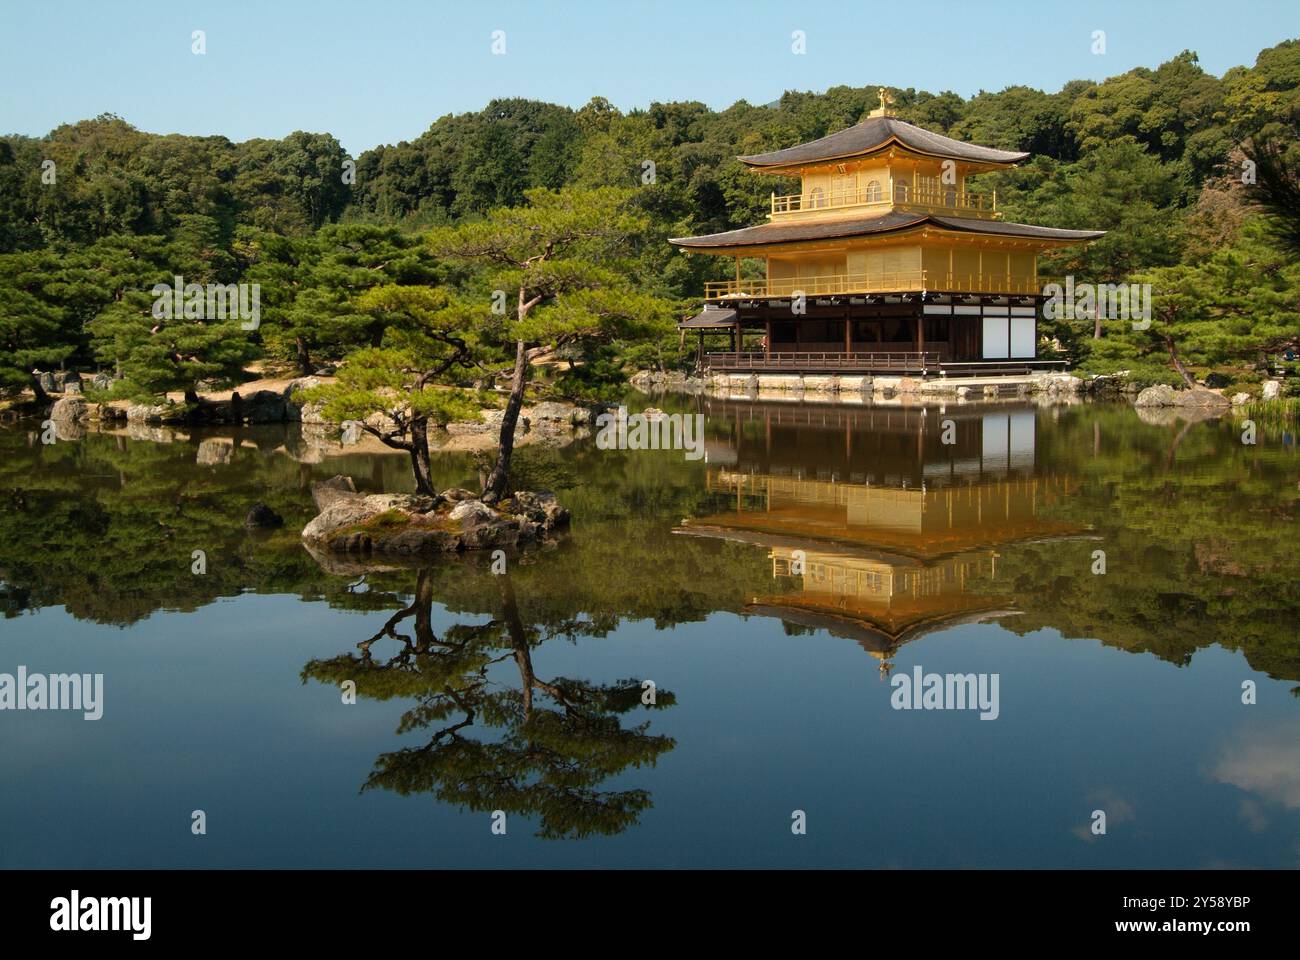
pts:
[770, 593]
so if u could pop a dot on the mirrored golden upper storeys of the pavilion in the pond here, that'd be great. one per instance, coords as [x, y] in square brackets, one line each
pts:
[879, 565]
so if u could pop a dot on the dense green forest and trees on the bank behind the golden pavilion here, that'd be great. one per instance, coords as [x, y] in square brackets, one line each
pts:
[97, 211]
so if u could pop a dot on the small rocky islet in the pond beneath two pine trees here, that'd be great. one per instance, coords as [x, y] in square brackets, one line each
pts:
[402, 525]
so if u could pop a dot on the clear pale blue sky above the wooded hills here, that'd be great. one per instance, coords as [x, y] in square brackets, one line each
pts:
[382, 71]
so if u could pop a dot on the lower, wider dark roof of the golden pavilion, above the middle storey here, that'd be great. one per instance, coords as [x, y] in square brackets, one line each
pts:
[861, 227]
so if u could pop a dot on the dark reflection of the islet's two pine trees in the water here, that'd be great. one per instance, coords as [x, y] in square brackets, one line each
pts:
[557, 742]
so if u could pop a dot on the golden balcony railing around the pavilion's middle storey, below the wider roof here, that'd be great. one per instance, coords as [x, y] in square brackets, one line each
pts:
[908, 282]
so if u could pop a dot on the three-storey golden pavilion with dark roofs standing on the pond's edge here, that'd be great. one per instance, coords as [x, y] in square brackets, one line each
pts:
[885, 262]
